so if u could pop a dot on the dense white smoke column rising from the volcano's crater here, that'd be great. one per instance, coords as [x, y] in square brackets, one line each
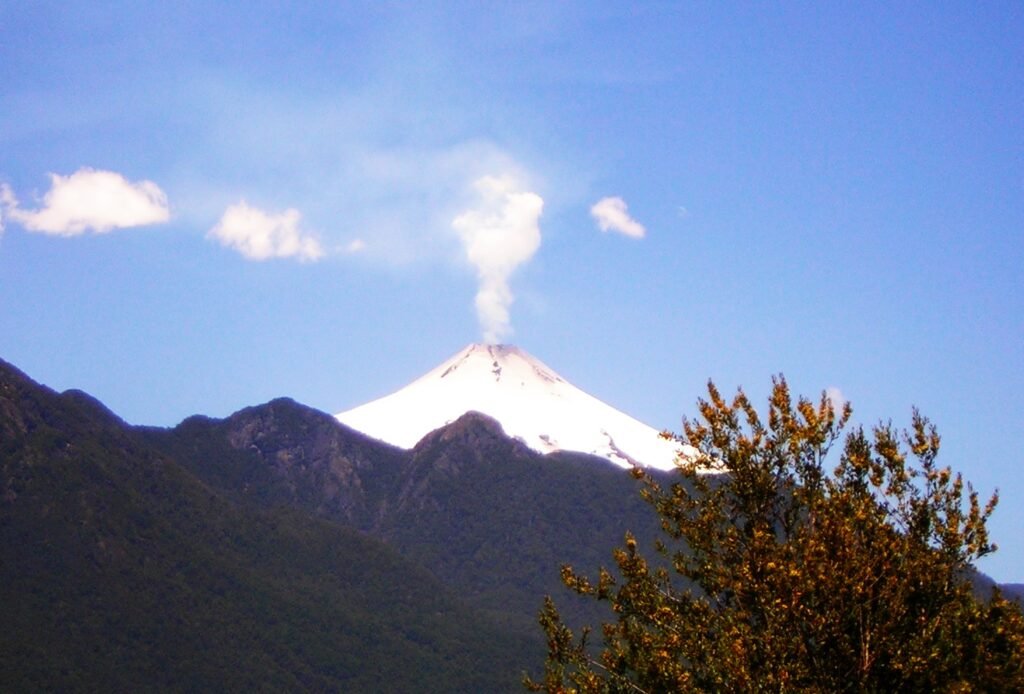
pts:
[500, 235]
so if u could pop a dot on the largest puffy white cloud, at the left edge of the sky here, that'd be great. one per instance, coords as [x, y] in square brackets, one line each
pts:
[91, 201]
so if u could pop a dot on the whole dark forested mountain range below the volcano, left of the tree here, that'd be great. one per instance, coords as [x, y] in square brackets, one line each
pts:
[280, 550]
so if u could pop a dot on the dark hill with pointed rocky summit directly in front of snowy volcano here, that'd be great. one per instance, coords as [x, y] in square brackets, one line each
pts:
[498, 520]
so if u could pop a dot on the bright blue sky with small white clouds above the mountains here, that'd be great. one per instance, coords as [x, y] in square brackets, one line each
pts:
[207, 207]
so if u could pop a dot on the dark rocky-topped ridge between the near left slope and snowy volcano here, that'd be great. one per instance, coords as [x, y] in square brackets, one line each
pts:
[491, 518]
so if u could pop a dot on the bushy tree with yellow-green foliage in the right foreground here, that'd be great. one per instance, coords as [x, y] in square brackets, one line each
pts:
[787, 573]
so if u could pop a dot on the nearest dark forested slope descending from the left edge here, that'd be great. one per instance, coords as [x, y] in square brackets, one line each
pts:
[120, 572]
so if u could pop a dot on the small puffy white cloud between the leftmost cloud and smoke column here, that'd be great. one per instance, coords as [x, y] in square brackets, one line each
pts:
[262, 236]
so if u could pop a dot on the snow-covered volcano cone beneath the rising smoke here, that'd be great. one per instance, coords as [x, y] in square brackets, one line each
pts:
[532, 403]
